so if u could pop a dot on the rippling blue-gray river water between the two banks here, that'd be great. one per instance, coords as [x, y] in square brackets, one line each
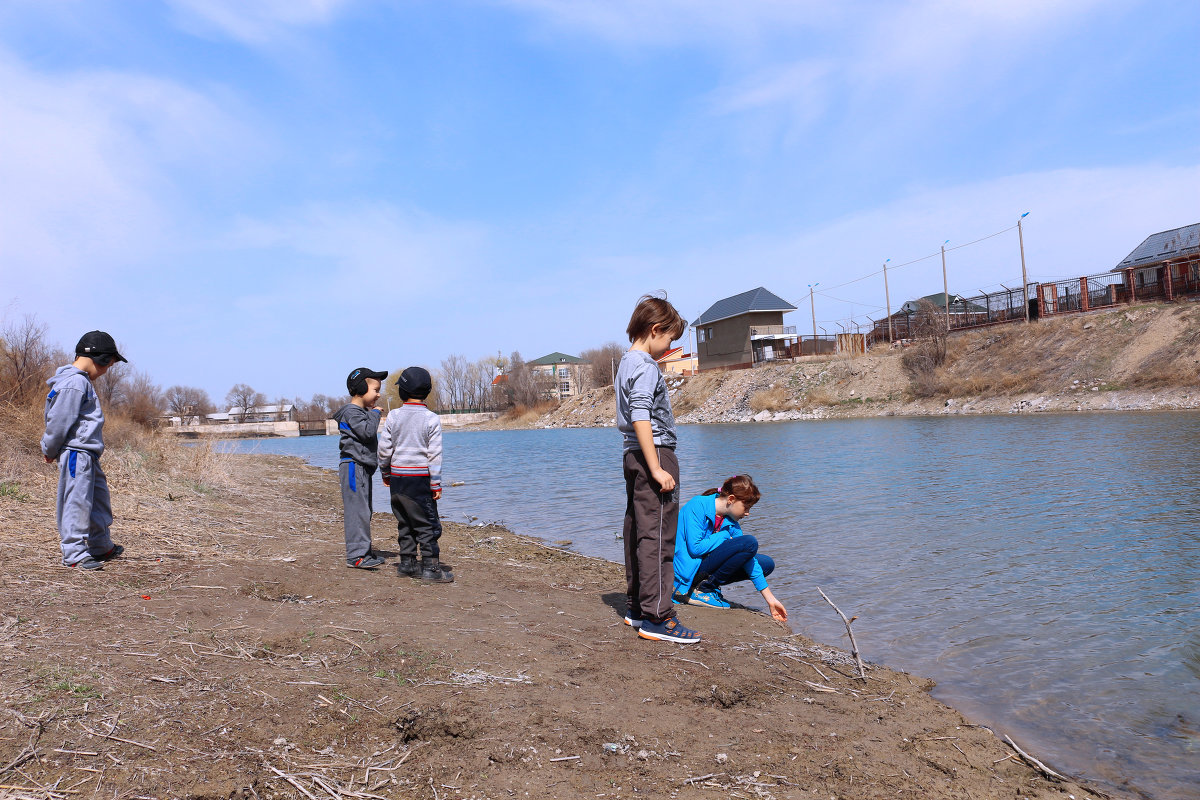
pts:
[1043, 569]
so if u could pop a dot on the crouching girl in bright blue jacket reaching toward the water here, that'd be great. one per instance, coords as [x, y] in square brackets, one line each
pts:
[712, 551]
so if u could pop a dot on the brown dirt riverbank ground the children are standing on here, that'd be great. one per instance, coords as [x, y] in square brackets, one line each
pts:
[232, 654]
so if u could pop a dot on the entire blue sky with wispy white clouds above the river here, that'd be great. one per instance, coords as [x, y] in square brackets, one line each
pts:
[278, 191]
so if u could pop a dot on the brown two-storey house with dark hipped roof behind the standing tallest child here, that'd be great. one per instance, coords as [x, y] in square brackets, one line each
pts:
[745, 330]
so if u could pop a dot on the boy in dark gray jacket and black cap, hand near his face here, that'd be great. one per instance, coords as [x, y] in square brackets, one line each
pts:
[358, 422]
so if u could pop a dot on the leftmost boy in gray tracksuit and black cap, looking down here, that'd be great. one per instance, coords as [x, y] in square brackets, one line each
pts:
[74, 437]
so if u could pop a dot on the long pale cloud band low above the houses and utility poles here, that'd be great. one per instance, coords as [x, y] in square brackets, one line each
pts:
[1082, 222]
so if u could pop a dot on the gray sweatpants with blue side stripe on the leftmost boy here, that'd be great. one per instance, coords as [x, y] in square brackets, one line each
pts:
[85, 510]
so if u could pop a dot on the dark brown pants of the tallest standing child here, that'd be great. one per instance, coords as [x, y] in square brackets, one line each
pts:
[651, 520]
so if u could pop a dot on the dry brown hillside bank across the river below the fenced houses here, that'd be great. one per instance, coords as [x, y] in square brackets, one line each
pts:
[1137, 358]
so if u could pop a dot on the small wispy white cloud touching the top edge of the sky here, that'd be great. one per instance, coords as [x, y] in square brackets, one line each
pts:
[259, 22]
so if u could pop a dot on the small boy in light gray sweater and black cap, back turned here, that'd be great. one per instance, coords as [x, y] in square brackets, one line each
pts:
[411, 460]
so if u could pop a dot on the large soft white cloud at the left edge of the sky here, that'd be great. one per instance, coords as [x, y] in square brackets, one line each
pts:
[86, 167]
